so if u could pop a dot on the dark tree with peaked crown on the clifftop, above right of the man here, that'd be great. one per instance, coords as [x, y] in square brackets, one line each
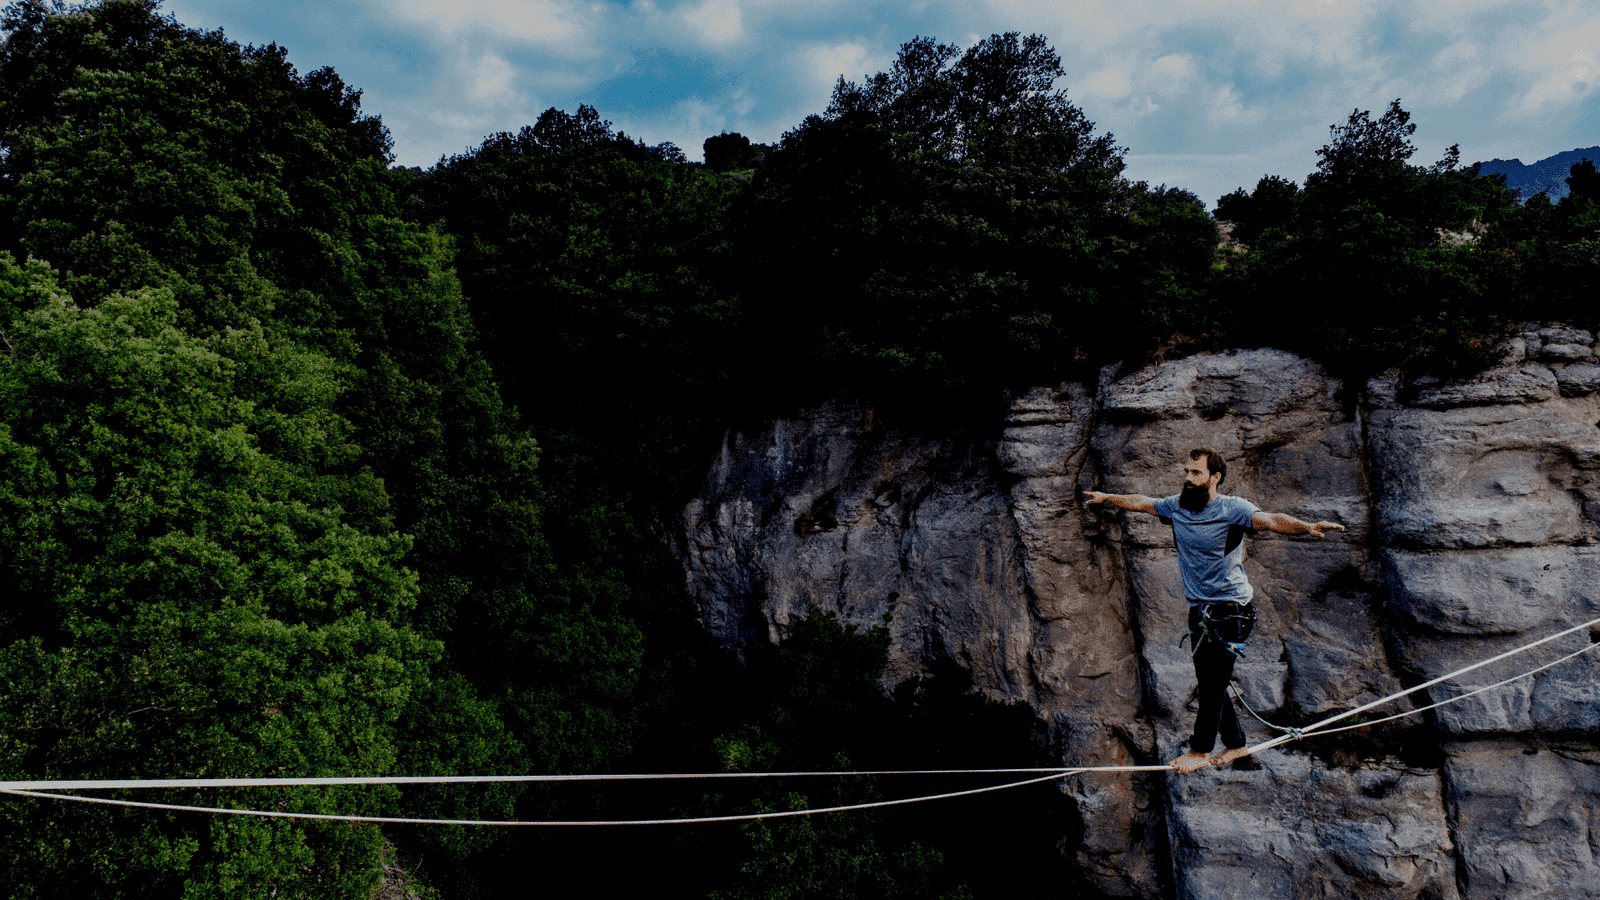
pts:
[1366, 254]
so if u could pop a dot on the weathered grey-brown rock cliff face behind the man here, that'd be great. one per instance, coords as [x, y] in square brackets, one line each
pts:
[1473, 516]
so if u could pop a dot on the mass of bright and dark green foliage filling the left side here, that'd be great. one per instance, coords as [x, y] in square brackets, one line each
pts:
[270, 508]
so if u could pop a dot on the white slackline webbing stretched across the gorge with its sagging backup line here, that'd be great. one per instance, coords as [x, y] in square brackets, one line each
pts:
[41, 789]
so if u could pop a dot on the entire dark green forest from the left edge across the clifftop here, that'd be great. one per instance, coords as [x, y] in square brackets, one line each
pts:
[313, 465]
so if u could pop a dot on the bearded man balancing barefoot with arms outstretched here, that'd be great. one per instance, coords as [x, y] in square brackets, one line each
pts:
[1209, 529]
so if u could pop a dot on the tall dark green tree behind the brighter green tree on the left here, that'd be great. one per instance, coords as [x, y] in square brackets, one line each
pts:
[162, 156]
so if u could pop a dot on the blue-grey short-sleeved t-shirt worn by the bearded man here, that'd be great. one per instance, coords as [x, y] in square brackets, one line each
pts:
[1212, 547]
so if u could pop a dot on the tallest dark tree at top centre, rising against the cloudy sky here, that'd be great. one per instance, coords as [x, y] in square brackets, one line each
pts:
[956, 225]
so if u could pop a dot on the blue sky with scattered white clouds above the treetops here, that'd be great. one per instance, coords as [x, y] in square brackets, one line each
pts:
[1207, 95]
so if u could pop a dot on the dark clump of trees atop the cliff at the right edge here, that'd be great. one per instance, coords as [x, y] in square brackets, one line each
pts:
[1420, 267]
